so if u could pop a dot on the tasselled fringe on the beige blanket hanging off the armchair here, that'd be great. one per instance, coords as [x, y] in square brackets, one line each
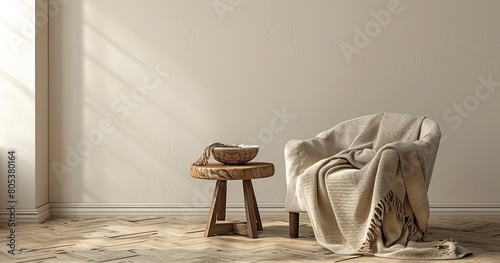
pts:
[390, 201]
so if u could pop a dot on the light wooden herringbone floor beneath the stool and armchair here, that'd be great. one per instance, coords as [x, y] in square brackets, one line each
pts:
[180, 239]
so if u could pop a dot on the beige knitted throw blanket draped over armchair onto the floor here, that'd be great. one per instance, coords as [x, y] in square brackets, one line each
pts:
[372, 197]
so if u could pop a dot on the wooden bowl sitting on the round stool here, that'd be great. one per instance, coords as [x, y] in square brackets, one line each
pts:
[235, 154]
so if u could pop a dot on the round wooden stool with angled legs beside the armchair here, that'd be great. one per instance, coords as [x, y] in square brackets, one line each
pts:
[222, 173]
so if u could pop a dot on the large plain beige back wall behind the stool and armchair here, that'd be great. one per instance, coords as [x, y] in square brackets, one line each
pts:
[139, 88]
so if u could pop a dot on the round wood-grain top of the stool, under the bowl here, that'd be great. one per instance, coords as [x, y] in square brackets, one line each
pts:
[220, 171]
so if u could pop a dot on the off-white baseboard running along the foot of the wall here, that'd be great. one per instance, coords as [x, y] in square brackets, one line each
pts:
[46, 211]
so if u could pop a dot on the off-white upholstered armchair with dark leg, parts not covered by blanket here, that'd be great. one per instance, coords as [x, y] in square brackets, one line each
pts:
[331, 142]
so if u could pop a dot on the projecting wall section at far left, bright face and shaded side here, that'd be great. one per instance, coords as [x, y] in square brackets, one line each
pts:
[24, 107]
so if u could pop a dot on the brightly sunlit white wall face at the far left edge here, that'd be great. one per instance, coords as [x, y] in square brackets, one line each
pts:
[17, 103]
